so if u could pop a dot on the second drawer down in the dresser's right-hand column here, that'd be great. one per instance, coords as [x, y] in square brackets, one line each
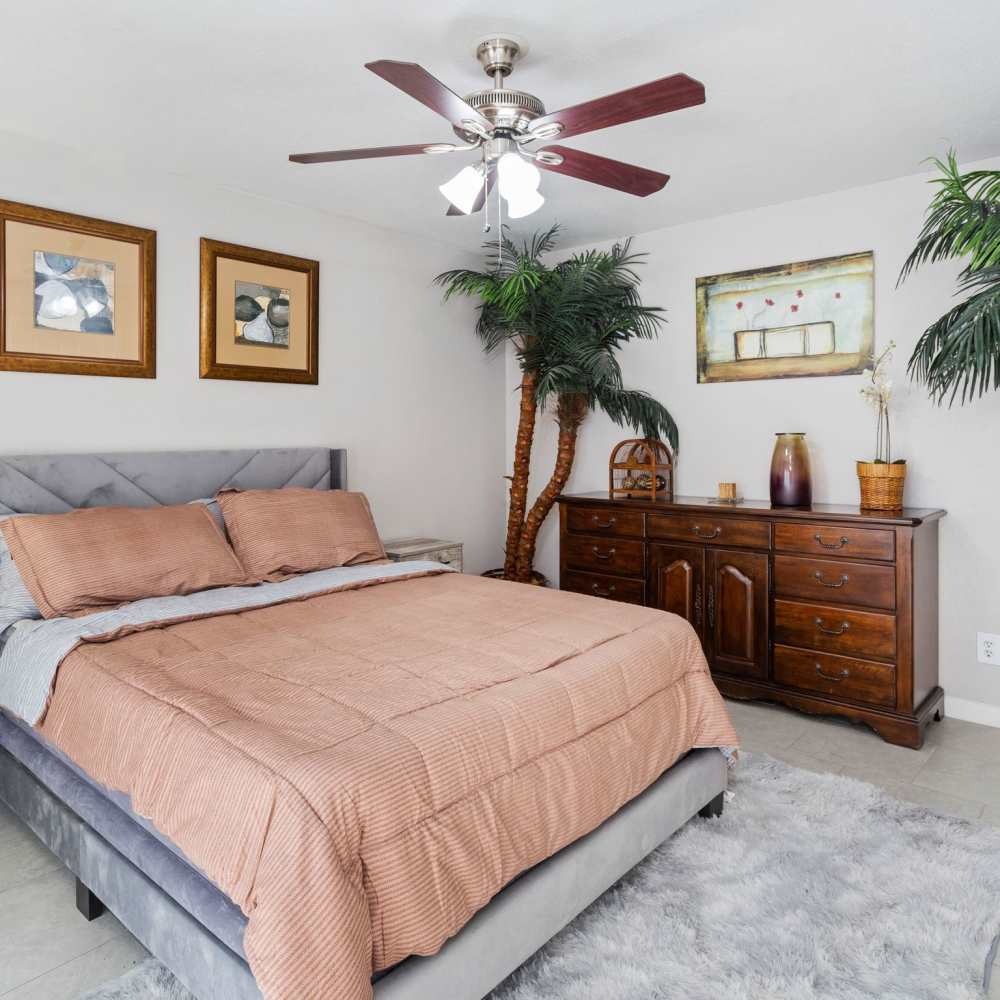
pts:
[865, 584]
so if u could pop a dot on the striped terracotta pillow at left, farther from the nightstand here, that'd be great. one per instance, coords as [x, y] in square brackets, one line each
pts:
[105, 556]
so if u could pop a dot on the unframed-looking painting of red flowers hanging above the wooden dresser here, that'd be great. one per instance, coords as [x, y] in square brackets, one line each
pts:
[814, 317]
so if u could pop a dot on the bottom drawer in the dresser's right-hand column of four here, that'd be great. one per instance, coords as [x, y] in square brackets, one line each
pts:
[838, 676]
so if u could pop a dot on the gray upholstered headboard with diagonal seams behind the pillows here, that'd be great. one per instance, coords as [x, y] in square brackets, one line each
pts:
[51, 484]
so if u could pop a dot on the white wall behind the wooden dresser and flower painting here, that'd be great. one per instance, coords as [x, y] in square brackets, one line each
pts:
[727, 429]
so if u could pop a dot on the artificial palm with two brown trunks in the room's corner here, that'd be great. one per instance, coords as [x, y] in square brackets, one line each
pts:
[566, 322]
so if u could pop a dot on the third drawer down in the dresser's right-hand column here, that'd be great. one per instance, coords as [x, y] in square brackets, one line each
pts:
[867, 634]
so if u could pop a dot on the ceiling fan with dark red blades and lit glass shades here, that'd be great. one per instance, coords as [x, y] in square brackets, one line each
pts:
[503, 124]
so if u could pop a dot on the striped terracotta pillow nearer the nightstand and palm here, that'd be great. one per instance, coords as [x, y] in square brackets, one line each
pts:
[277, 533]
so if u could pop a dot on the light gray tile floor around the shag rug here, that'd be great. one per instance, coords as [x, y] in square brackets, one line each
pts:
[49, 952]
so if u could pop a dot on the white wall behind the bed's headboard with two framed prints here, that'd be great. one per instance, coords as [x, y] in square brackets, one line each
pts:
[403, 383]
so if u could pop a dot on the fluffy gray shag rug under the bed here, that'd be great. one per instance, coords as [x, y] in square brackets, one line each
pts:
[809, 887]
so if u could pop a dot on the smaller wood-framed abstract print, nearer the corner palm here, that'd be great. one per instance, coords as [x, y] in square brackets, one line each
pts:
[259, 315]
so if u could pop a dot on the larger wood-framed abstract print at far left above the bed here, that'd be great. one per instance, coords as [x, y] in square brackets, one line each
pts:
[77, 295]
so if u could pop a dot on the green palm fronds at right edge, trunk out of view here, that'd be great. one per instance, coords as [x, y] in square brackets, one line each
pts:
[959, 354]
